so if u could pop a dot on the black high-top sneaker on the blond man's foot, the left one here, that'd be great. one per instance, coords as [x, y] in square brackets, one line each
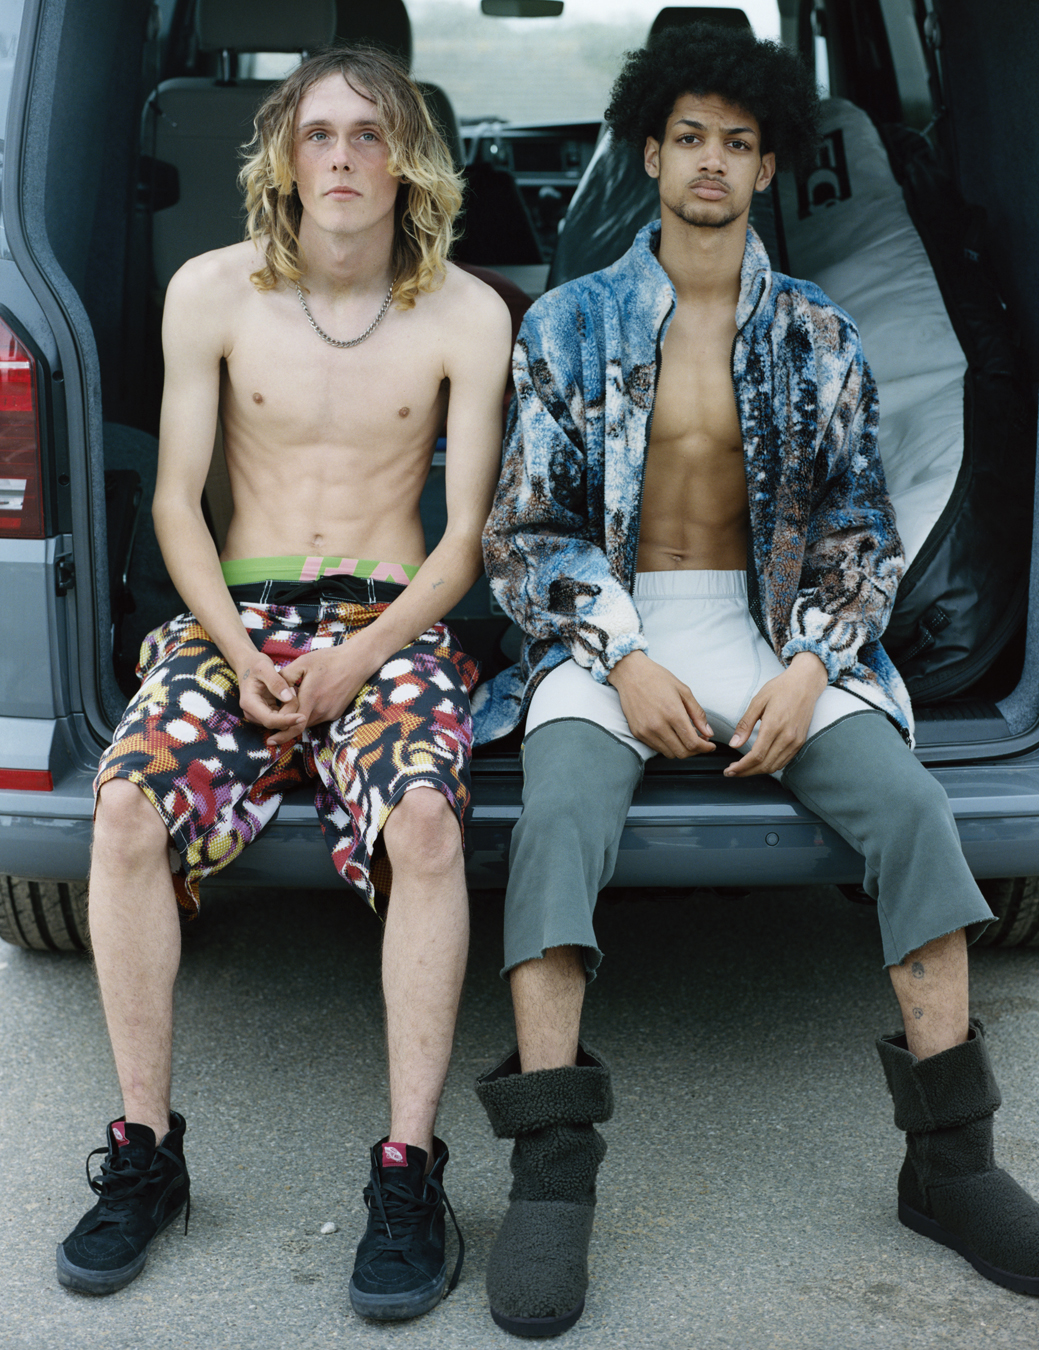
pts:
[144, 1187]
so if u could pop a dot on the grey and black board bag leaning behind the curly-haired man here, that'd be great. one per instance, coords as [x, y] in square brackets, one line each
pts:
[887, 234]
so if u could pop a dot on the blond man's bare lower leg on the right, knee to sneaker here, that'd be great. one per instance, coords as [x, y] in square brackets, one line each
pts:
[423, 958]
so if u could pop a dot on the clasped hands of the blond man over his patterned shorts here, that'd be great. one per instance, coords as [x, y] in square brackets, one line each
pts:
[316, 688]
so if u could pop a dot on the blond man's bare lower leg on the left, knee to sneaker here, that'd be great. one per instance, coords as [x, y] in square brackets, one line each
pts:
[137, 946]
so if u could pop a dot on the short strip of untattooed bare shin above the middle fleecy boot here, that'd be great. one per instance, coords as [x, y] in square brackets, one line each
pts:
[549, 997]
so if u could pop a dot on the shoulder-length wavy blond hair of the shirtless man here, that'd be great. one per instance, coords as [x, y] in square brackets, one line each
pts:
[427, 203]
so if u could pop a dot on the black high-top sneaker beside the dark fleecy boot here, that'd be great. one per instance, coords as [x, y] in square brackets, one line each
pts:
[401, 1271]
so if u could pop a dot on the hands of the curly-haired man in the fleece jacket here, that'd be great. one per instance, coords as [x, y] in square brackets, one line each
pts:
[663, 713]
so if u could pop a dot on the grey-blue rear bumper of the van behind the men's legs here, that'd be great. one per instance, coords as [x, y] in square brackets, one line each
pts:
[683, 830]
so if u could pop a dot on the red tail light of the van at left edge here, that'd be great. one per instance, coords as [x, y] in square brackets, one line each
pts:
[21, 468]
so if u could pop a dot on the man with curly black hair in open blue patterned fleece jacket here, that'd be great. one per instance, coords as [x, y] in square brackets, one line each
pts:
[694, 533]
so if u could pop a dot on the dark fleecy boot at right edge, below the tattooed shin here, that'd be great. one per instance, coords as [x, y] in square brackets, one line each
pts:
[951, 1189]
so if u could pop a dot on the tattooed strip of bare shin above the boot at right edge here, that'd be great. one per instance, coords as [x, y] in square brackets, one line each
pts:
[932, 989]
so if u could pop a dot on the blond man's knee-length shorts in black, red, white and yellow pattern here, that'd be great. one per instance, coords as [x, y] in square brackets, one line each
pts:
[214, 781]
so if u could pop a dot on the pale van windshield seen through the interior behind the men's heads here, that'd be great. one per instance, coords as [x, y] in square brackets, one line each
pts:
[538, 70]
